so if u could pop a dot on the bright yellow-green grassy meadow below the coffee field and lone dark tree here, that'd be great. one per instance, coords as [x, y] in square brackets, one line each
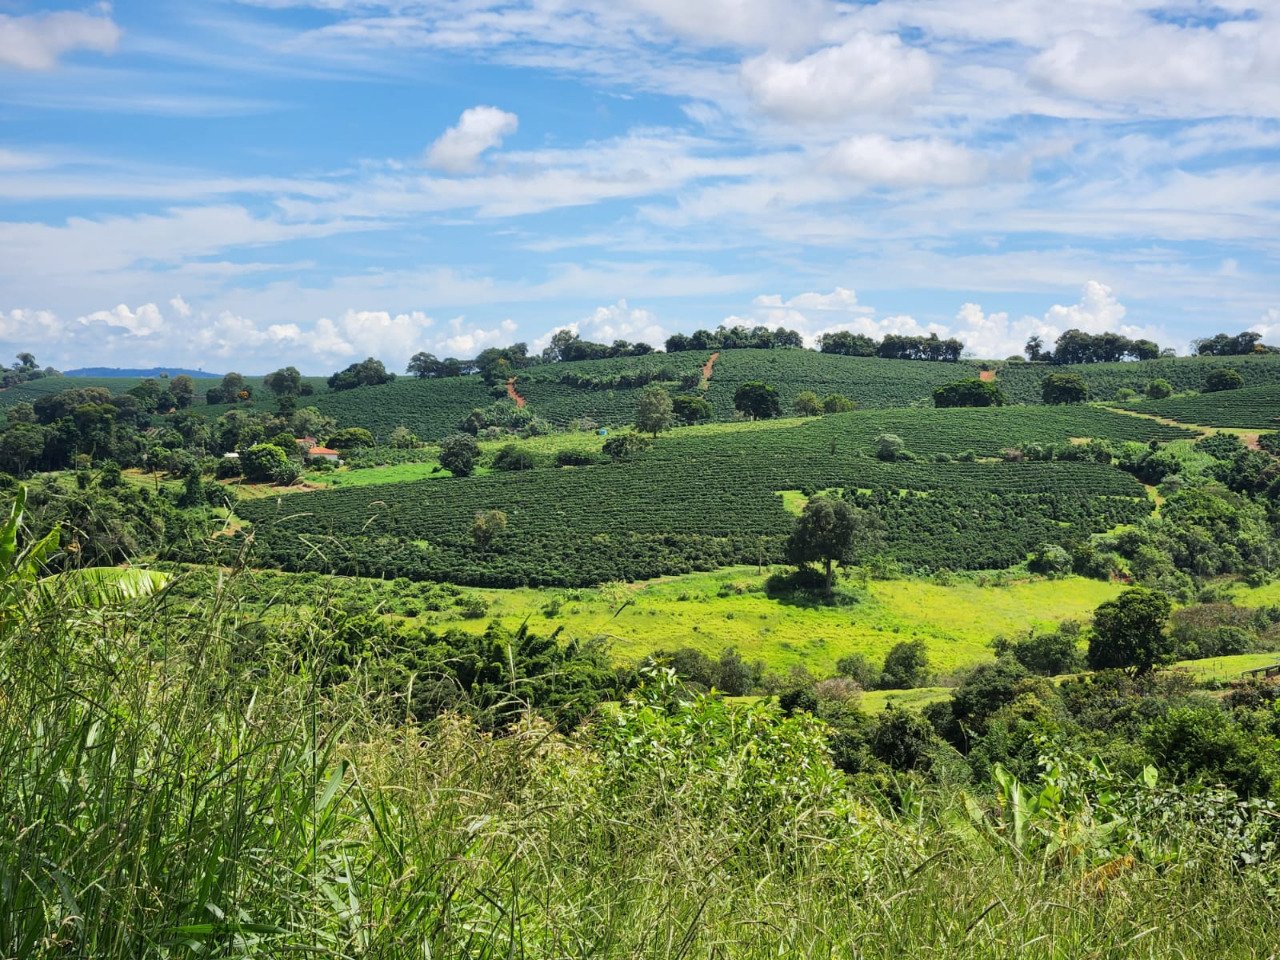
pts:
[729, 609]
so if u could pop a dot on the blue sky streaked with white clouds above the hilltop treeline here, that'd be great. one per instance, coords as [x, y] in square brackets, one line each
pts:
[246, 184]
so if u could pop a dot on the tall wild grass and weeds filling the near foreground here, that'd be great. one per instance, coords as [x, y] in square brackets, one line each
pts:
[176, 785]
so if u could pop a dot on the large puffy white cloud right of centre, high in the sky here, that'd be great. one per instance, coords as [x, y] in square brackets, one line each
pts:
[868, 74]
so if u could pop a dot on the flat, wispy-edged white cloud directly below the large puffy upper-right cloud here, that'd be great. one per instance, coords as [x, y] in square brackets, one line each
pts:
[907, 163]
